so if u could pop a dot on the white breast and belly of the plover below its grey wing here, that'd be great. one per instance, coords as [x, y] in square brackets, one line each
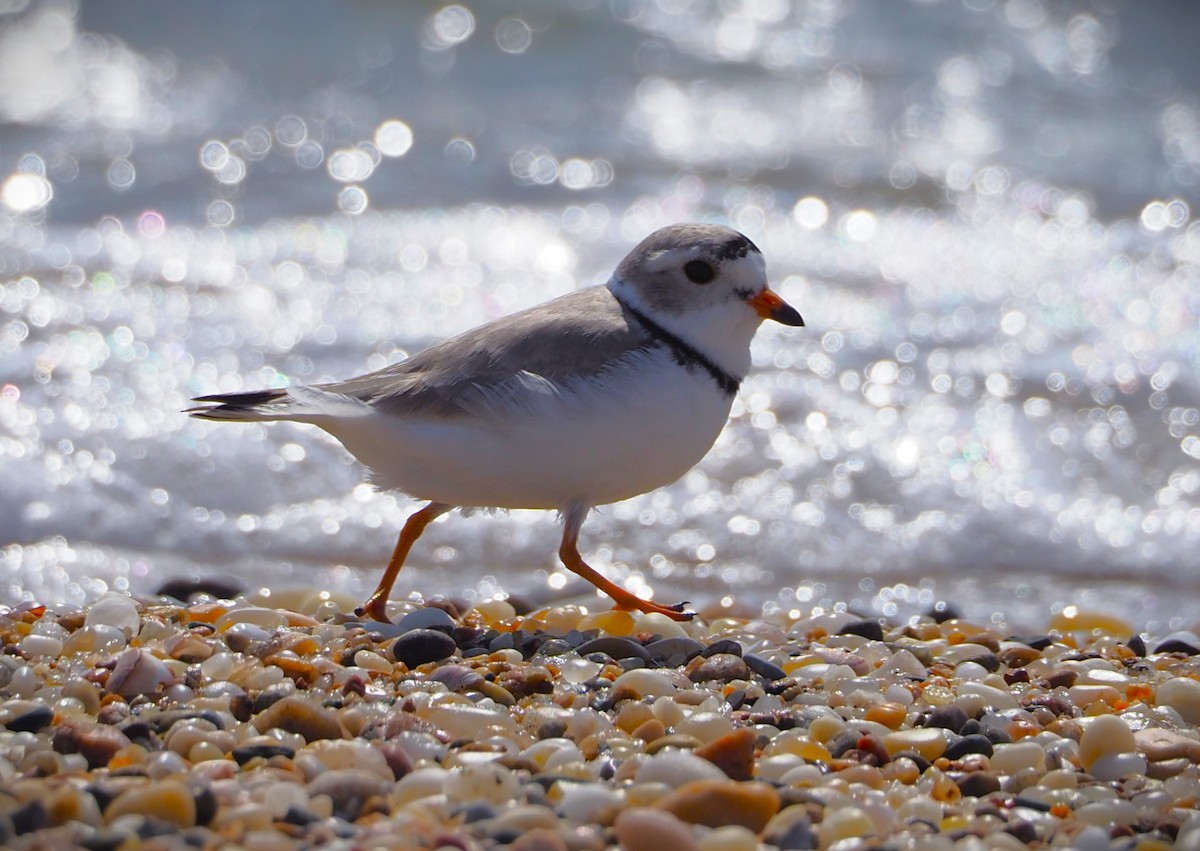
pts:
[596, 445]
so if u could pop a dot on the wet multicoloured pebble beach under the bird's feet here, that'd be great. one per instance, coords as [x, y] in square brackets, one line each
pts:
[279, 722]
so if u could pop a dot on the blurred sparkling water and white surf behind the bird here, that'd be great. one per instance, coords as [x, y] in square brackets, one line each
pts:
[985, 211]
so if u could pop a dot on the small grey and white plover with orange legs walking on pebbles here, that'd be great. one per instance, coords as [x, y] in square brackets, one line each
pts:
[596, 397]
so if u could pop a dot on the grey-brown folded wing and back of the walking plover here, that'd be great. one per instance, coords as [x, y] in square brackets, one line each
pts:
[537, 351]
